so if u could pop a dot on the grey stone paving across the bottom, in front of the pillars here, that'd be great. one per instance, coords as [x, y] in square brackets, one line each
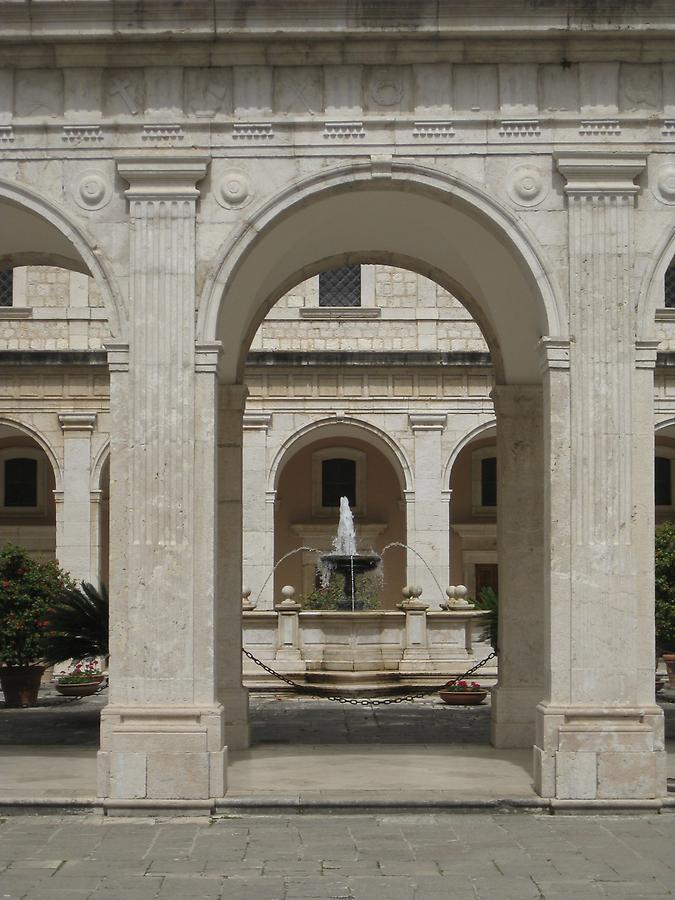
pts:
[420, 857]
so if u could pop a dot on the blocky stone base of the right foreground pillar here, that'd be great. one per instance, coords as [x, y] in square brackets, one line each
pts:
[590, 753]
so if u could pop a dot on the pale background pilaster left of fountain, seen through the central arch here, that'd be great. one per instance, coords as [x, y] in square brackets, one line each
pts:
[258, 561]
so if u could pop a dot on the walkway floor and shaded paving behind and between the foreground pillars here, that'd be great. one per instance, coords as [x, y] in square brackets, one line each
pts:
[306, 753]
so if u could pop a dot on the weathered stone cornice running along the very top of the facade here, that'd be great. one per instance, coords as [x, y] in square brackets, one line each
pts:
[205, 20]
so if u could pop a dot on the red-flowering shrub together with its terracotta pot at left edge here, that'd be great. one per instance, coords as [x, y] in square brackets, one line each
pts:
[29, 591]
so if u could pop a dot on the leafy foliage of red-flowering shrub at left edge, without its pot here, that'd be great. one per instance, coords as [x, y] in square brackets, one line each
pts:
[29, 593]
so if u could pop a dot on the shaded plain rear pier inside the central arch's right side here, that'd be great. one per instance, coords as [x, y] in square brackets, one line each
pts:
[520, 542]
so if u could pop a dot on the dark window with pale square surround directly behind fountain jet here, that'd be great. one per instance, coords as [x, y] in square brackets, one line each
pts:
[338, 472]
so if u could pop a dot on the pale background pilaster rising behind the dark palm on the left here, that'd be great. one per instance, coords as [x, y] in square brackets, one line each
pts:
[75, 529]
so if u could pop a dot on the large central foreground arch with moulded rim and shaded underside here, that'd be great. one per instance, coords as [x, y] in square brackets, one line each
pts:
[406, 215]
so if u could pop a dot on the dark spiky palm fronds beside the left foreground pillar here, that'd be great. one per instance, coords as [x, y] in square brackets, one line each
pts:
[79, 624]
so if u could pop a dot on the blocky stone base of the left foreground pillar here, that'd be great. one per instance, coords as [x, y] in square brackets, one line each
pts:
[162, 754]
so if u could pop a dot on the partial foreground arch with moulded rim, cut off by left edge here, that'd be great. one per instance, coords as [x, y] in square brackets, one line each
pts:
[64, 244]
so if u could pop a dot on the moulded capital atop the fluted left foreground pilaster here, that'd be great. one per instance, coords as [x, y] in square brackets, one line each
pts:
[158, 178]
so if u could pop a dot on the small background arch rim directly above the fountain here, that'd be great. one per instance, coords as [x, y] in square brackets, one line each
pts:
[348, 426]
